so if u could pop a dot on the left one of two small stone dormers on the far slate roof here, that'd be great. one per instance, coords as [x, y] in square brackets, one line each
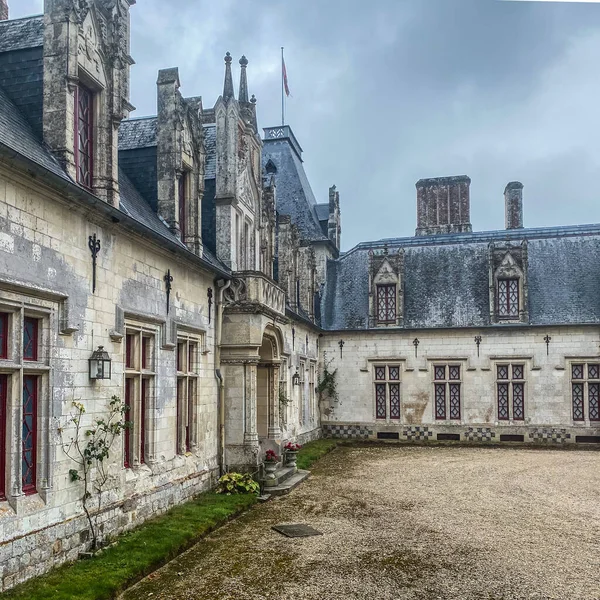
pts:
[386, 288]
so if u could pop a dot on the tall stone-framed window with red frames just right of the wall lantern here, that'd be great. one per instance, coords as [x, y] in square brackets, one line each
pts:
[139, 380]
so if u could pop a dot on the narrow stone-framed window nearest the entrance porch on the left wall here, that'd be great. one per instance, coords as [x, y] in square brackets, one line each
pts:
[189, 344]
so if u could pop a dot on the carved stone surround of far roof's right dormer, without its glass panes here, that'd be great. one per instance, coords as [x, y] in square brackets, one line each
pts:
[508, 269]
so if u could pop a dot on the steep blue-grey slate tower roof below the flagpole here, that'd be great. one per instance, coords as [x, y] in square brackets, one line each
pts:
[294, 194]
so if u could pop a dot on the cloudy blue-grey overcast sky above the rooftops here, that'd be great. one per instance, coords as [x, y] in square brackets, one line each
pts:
[390, 91]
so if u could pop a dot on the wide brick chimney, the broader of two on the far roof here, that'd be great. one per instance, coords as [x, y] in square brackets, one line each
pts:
[443, 205]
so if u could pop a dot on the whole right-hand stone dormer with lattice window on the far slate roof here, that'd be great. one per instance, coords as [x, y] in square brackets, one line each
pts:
[508, 282]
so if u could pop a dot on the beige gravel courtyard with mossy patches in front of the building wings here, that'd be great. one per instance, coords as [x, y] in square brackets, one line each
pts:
[410, 522]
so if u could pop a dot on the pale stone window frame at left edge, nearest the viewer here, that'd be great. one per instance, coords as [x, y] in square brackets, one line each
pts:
[14, 367]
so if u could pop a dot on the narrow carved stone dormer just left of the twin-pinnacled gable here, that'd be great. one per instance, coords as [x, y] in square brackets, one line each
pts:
[181, 158]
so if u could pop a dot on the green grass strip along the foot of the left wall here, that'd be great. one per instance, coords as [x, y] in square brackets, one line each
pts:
[136, 553]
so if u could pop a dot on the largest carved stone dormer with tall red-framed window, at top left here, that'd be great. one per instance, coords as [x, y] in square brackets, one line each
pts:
[86, 88]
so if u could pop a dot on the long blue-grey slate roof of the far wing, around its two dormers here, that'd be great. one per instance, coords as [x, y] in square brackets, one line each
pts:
[446, 279]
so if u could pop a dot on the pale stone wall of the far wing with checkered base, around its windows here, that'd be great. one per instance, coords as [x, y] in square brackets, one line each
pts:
[548, 413]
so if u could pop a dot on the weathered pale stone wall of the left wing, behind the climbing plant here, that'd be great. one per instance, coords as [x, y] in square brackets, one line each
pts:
[46, 272]
